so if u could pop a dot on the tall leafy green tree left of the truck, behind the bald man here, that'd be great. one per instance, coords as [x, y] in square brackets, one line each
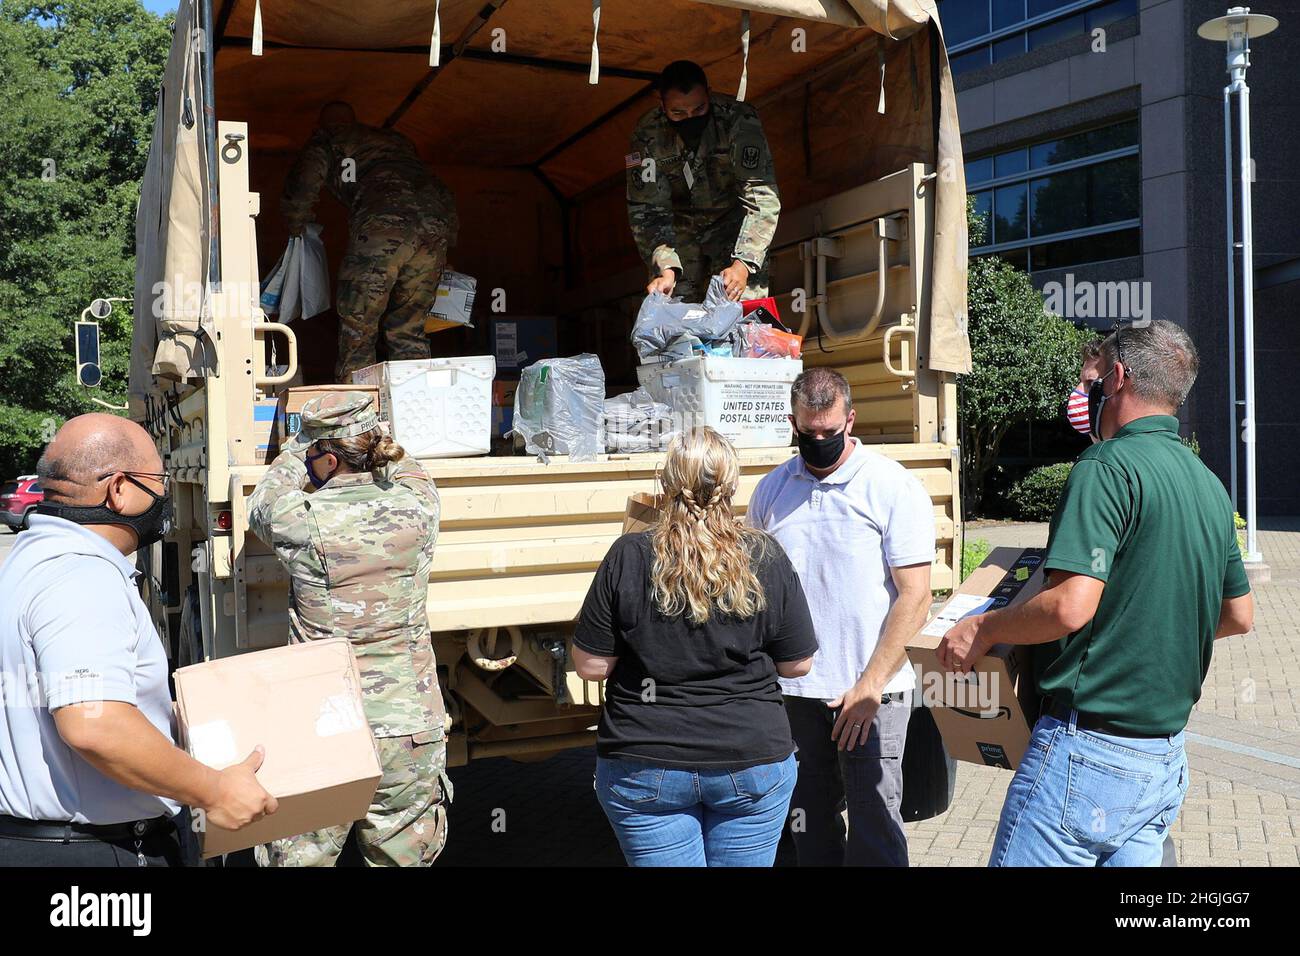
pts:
[80, 81]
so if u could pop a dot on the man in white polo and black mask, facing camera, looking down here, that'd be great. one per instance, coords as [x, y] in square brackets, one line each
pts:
[861, 533]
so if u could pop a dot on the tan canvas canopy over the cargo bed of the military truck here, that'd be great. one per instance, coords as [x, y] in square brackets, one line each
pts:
[513, 102]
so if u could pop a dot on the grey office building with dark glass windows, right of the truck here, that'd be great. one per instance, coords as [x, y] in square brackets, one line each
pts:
[1094, 142]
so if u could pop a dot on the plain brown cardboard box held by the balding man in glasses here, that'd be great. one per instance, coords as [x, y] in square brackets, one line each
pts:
[304, 704]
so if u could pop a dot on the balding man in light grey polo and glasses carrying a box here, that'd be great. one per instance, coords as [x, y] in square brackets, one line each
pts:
[90, 775]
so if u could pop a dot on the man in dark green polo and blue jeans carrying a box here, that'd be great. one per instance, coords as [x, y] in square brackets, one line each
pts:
[1145, 576]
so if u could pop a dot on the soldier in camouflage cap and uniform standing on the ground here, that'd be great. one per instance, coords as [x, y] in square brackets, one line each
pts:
[358, 552]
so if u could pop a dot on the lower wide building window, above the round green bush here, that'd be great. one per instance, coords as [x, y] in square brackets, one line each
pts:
[1061, 202]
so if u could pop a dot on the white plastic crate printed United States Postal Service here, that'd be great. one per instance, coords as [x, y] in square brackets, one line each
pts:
[746, 400]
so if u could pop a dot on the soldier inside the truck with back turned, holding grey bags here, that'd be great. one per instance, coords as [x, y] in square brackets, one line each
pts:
[402, 220]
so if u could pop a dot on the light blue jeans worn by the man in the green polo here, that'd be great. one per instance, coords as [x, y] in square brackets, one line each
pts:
[1087, 799]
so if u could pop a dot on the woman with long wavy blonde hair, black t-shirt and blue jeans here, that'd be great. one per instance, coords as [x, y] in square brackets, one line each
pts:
[690, 625]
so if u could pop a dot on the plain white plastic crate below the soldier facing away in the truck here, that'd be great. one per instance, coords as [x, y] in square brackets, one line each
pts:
[436, 408]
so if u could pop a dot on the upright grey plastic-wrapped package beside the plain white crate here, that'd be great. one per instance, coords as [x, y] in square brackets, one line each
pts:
[560, 406]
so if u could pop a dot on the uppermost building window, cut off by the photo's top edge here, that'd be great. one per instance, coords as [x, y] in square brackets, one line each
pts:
[983, 32]
